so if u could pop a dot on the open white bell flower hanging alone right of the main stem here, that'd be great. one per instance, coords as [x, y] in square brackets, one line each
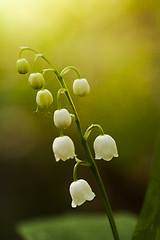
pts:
[105, 147]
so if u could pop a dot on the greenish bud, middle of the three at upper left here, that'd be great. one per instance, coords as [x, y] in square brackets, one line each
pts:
[36, 80]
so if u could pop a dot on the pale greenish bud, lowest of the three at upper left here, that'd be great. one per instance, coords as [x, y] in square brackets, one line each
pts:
[44, 98]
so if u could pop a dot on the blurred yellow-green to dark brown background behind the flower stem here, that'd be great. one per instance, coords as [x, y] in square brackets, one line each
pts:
[116, 46]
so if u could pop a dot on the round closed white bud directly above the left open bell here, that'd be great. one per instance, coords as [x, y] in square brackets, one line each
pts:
[62, 118]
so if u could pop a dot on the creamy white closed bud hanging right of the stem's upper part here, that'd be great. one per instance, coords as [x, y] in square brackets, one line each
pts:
[81, 87]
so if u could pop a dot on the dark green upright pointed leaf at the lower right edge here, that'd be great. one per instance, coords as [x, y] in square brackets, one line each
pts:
[148, 225]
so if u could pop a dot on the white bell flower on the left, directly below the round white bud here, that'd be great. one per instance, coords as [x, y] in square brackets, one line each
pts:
[63, 148]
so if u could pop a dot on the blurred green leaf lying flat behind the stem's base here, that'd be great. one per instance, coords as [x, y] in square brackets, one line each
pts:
[77, 227]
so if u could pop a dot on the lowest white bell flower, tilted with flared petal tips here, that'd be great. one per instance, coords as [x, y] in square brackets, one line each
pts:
[80, 192]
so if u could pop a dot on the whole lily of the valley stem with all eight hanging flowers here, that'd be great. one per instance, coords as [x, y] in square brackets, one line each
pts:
[63, 146]
